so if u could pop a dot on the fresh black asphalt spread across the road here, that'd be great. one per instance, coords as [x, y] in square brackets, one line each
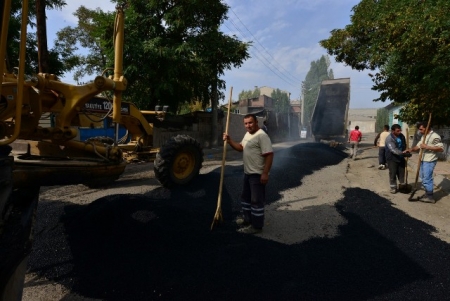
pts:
[159, 246]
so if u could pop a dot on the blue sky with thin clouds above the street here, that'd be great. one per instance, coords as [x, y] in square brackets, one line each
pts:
[285, 39]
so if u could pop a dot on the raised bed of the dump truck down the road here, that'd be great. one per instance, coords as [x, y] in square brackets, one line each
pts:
[330, 115]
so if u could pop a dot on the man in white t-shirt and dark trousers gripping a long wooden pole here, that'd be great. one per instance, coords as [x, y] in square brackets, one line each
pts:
[257, 157]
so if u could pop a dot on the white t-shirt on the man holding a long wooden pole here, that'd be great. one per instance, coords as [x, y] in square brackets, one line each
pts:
[255, 146]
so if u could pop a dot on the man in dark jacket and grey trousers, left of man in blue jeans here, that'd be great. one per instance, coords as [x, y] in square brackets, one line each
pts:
[395, 157]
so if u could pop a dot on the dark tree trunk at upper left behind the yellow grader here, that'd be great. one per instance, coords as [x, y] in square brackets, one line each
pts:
[41, 31]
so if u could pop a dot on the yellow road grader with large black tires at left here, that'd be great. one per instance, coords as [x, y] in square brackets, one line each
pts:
[51, 155]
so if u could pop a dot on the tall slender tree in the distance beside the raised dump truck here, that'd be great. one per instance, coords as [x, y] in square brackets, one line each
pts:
[310, 87]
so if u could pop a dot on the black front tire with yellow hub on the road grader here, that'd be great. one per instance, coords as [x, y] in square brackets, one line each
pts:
[179, 161]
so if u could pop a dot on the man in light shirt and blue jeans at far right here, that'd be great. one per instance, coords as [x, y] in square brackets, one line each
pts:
[433, 144]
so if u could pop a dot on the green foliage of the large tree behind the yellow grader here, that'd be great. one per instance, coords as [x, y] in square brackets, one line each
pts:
[173, 52]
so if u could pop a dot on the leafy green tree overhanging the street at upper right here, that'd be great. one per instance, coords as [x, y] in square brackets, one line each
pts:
[406, 44]
